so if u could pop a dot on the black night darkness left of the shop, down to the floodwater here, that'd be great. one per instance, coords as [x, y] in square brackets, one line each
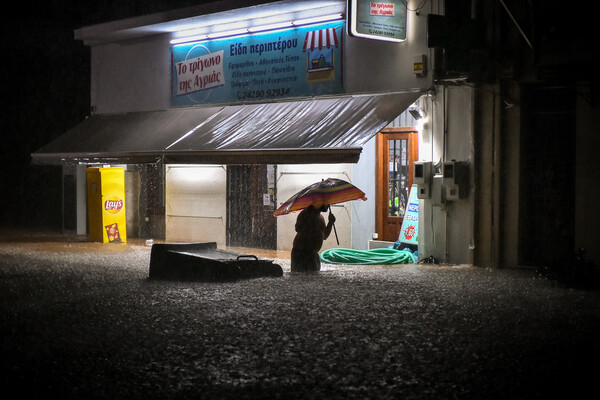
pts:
[45, 90]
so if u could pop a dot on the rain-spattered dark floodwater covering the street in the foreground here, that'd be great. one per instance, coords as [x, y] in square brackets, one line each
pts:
[82, 320]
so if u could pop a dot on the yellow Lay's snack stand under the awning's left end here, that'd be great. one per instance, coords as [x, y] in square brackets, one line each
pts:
[106, 205]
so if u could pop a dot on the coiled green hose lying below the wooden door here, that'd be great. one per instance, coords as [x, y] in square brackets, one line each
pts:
[367, 257]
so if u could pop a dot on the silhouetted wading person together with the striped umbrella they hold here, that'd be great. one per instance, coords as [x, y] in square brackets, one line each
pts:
[311, 229]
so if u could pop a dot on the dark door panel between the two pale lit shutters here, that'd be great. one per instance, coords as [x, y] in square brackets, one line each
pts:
[251, 199]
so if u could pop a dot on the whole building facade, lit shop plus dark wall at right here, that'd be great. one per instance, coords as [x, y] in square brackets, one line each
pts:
[504, 133]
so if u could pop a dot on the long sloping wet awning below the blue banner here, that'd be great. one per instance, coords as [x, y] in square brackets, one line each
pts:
[318, 130]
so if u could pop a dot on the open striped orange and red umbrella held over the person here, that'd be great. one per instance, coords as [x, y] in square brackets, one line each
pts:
[326, 192]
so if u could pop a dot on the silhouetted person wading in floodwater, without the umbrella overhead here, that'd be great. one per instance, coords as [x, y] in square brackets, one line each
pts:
[311, 231]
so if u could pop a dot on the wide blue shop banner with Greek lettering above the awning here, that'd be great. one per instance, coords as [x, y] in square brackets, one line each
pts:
[299, 62]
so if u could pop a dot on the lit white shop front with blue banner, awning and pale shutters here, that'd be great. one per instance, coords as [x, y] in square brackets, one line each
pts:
[219, 115]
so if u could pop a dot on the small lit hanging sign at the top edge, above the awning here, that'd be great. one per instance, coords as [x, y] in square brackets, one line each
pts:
[379, 20]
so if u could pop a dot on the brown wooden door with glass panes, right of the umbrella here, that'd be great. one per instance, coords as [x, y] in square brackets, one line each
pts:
[397, 150]
